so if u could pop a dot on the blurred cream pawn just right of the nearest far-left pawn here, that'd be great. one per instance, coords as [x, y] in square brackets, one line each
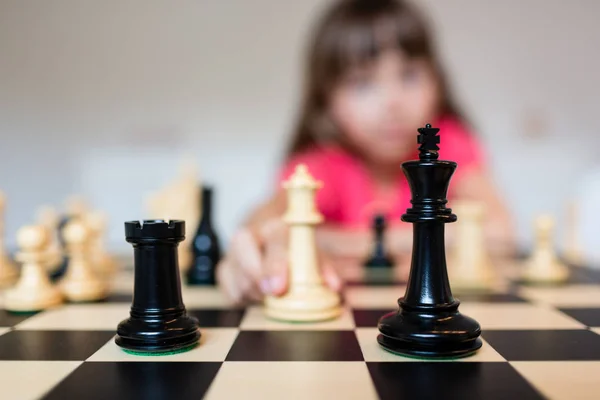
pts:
[80, 282]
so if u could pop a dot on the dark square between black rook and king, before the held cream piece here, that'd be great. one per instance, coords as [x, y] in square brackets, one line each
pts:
[295, 346]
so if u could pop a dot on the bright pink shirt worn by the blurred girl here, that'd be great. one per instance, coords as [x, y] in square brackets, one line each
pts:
[348, 197]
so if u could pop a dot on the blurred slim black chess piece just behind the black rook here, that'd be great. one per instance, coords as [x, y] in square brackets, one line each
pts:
[206, 248]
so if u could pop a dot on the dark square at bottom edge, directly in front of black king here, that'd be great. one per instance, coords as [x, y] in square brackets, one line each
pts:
[449, 380]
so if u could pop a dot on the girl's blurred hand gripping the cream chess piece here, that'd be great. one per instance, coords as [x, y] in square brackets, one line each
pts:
[257, 264]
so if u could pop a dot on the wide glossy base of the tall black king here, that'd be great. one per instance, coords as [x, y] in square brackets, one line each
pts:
[437, 332]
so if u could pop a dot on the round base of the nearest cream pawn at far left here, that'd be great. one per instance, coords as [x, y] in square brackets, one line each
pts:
[38, 299]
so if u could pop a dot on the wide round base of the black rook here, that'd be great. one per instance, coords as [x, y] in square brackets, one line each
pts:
[152, 332]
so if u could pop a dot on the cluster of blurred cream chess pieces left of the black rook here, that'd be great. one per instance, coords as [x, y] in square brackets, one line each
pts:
[62, 259]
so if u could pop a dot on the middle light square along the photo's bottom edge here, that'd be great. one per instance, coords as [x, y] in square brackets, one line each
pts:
[293, 380]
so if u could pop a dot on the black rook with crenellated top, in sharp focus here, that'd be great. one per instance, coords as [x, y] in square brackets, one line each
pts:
[158, 320]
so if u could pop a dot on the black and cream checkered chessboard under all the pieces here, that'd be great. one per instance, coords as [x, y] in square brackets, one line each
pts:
[538, 342]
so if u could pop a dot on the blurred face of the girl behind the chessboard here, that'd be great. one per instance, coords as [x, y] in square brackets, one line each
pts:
[378, 107]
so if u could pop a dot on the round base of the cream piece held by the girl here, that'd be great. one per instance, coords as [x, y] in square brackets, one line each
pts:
[312, 305]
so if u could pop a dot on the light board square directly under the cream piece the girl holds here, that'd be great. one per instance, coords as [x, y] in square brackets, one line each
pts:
[255, 319]
